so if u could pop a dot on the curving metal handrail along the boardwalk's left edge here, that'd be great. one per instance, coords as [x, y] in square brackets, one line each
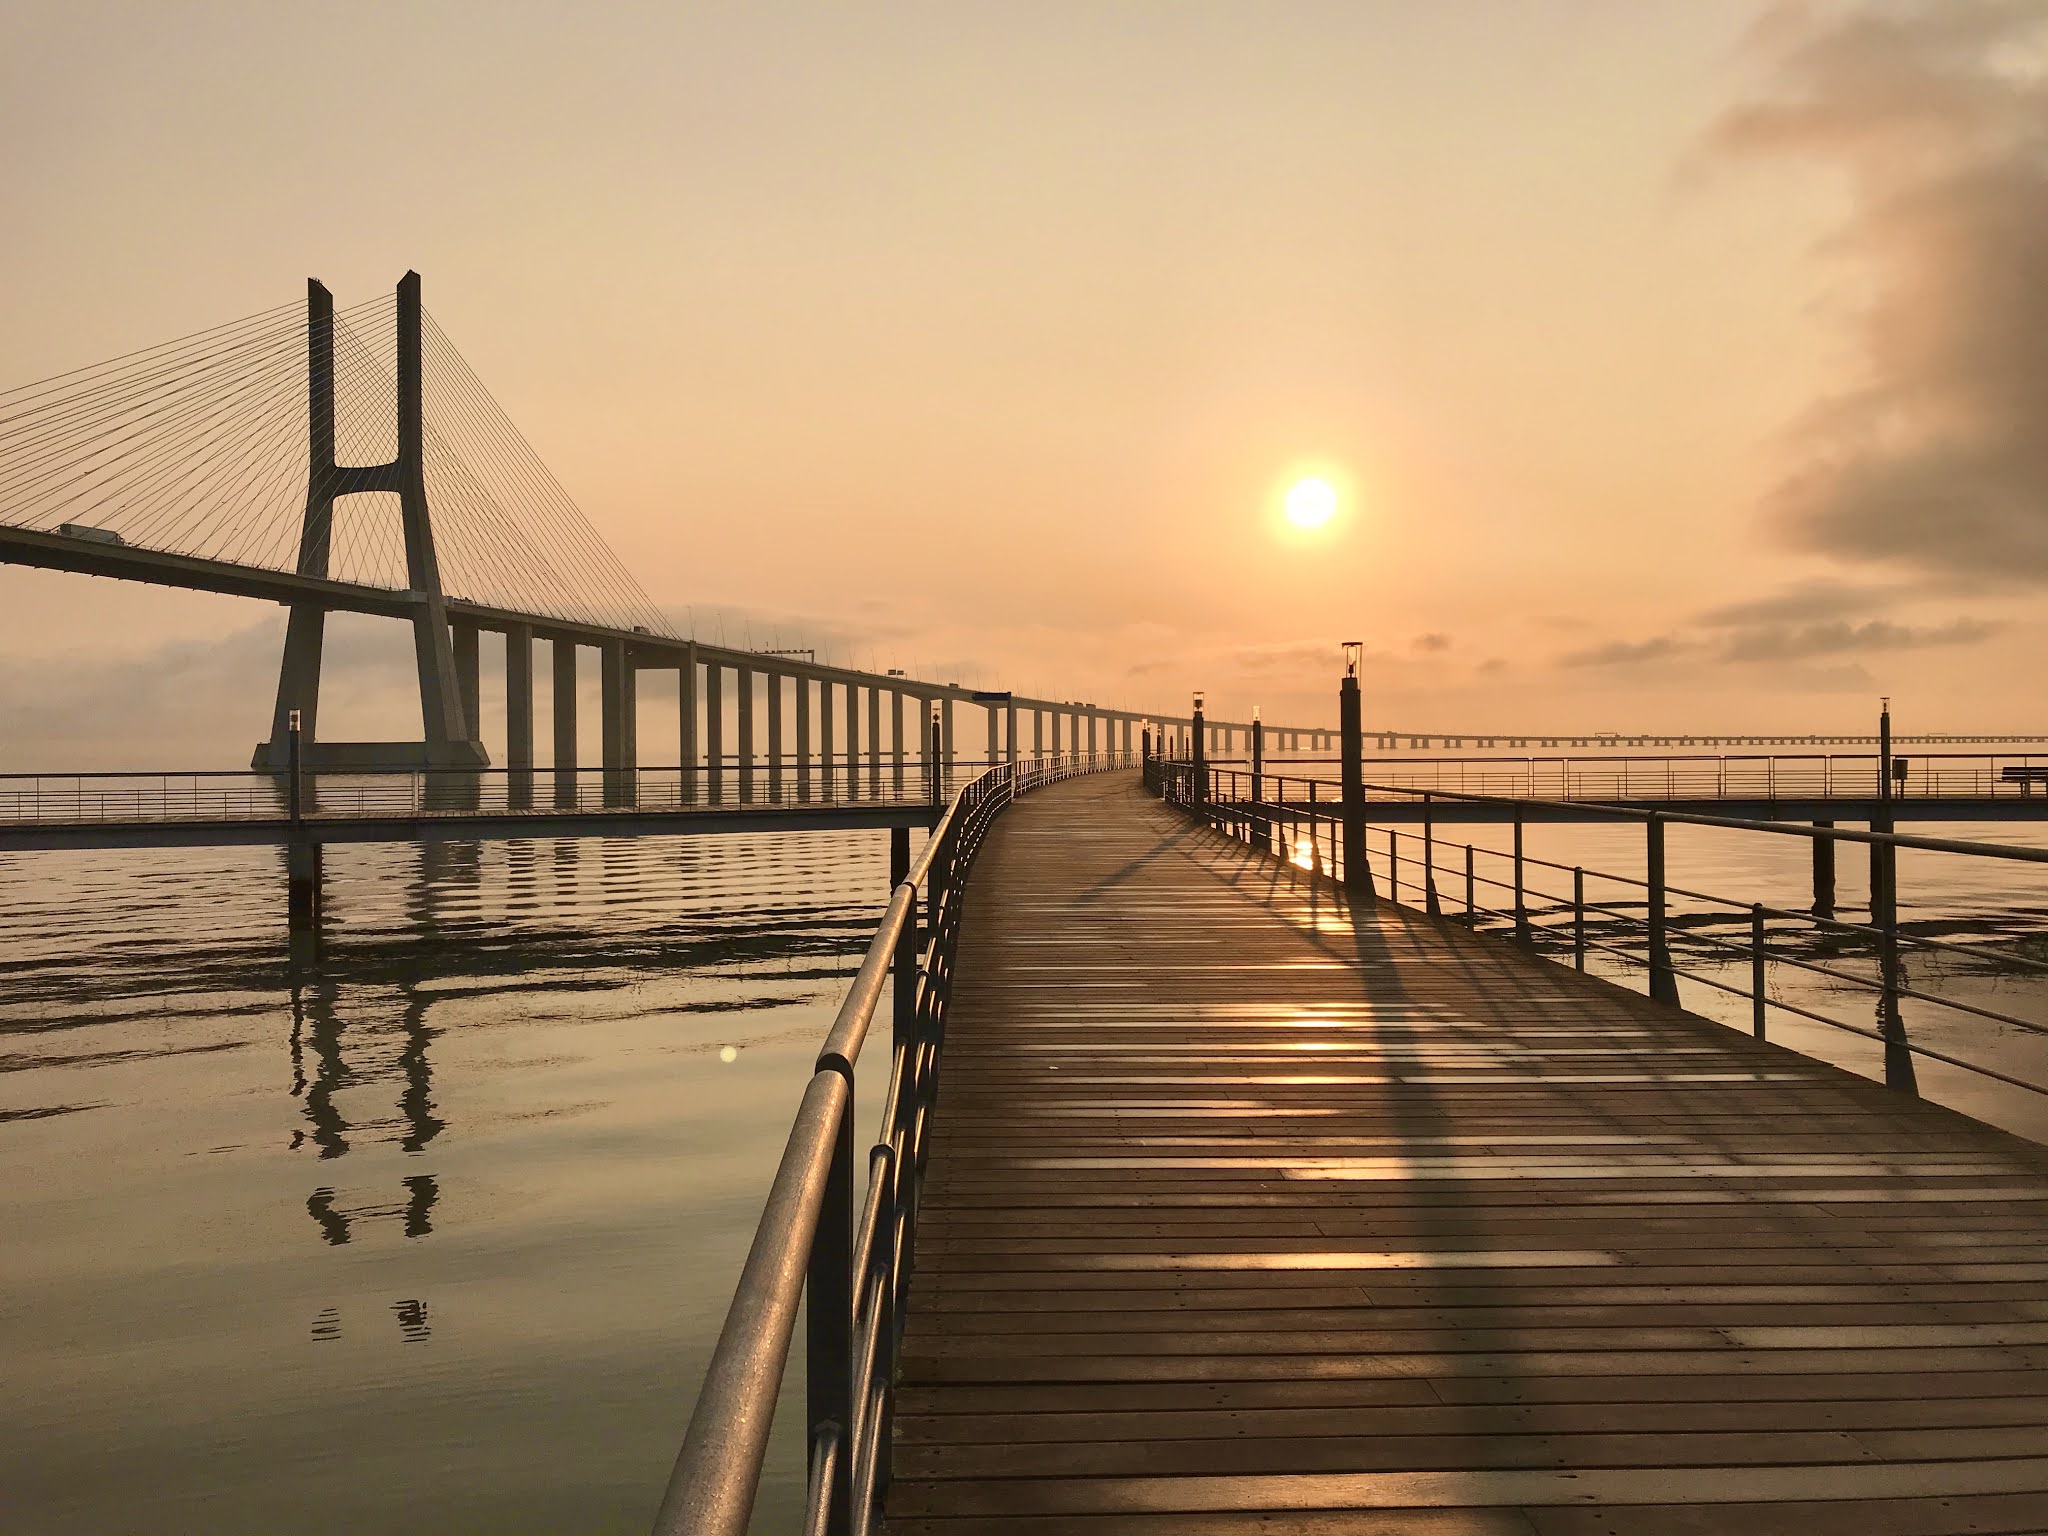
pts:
[812, 1246]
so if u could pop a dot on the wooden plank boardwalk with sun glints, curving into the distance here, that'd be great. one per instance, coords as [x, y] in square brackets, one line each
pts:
[1248, 1213]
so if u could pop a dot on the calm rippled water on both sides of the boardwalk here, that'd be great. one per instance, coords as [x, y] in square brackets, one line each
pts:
[431, 1232]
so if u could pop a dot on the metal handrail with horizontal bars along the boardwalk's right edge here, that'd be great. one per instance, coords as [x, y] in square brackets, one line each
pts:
[1256, 820]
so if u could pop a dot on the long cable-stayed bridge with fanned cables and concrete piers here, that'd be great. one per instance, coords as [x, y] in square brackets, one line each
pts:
[351, 460]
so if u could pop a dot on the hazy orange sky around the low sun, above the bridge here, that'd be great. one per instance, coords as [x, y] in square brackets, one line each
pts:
[982, 339]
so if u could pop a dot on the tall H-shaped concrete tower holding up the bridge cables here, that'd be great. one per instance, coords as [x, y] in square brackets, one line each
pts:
[450, 738]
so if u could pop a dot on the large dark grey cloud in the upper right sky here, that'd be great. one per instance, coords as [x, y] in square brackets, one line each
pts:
[1936, 112]
